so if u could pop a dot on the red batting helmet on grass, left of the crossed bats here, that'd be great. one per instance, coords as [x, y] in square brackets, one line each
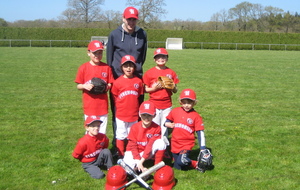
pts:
[116, 177]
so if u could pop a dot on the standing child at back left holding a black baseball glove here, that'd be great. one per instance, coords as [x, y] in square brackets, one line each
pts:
[94, 104]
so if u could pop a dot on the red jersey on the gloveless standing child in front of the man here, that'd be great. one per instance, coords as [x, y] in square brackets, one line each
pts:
[126, 92]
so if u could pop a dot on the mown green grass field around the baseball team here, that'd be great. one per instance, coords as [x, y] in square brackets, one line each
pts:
[249, 100]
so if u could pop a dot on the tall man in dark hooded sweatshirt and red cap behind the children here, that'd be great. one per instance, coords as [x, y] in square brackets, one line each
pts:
[127, 39]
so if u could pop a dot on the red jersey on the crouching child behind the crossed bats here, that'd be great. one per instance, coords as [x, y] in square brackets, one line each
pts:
[141, 139]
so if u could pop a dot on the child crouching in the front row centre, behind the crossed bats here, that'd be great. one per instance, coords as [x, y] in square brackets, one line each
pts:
[144, 139]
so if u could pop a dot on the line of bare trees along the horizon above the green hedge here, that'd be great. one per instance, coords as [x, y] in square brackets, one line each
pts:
[244, 16]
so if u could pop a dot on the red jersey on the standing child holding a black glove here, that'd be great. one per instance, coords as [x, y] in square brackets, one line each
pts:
[94, 104]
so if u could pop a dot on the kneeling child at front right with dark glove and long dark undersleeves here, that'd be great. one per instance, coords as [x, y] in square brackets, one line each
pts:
[185, 121]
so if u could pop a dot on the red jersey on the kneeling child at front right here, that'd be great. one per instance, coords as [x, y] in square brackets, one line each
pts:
[186, 123]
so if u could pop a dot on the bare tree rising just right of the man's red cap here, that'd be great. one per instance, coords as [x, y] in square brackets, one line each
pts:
[149, 10]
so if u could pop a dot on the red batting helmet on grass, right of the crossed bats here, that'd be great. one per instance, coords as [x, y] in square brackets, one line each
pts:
[164, 179]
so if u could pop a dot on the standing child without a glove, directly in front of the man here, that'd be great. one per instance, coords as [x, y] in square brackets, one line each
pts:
[126, 90]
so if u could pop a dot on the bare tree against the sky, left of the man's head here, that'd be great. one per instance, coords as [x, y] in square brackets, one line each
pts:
[84, 11]
